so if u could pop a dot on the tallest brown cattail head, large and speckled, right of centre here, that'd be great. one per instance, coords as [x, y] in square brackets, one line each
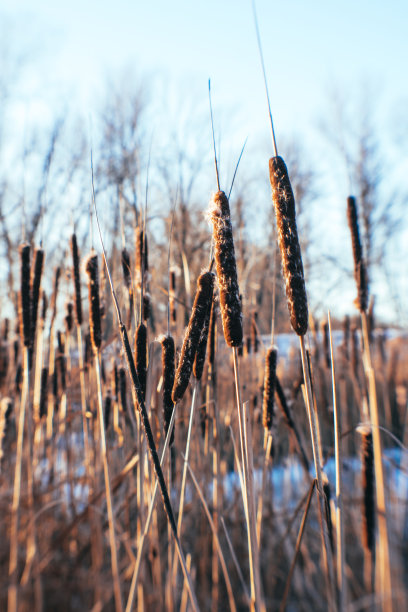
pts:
[284, 203]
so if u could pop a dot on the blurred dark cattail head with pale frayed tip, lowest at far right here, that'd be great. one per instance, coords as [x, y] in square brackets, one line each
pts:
[368, 488]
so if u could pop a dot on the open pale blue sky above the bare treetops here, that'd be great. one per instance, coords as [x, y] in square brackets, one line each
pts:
[309, 46]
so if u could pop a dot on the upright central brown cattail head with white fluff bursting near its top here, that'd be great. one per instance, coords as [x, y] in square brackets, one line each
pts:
[230, 303]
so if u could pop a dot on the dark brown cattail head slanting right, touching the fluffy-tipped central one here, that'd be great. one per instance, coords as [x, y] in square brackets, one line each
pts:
[201, 304]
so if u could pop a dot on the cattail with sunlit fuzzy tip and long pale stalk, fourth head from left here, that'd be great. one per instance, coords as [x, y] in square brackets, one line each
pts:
[91, 267]
